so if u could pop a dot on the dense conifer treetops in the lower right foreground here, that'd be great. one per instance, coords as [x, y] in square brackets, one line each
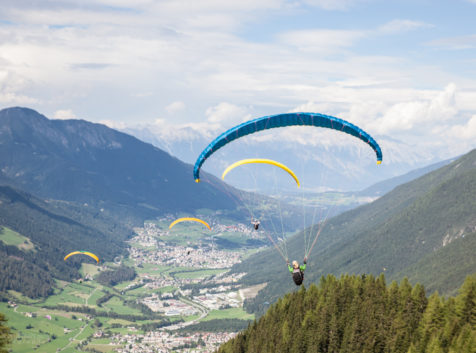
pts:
[363, 314]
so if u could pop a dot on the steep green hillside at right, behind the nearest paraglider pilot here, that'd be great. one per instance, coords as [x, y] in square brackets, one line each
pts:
[425, 229]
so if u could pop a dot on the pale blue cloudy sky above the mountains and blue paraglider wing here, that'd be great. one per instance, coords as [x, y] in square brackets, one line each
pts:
[401, 70]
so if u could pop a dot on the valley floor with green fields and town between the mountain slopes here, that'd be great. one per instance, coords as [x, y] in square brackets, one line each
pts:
[182, 299]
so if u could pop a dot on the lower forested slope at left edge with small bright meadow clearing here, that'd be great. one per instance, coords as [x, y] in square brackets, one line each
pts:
[36, 235]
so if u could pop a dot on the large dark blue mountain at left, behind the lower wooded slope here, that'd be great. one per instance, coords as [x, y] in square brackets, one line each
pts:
[80, 161]
